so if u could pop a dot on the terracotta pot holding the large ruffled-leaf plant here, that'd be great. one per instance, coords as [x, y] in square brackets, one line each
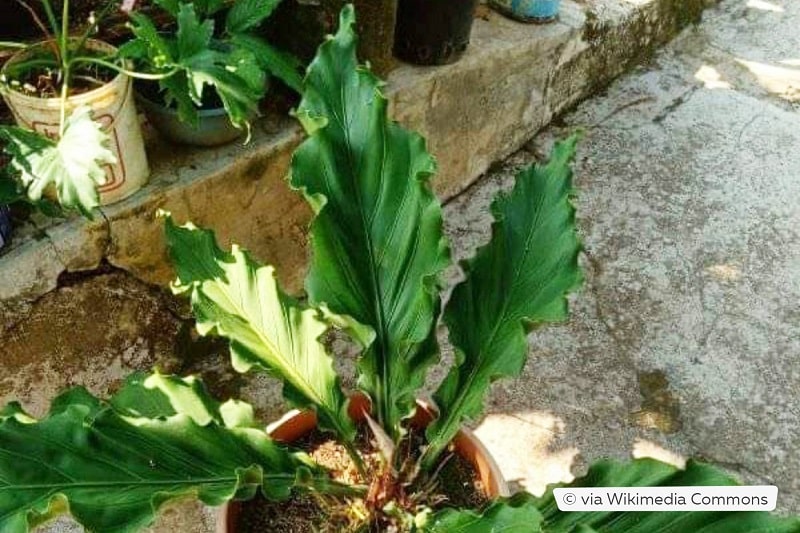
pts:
[297, 424]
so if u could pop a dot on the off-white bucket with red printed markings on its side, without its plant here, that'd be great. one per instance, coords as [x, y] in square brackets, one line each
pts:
[112, 105]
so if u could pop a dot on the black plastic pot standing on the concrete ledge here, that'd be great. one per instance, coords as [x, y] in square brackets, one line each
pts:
[433, 32]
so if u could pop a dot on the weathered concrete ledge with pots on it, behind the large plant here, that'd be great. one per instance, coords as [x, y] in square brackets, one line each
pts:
[512, 82]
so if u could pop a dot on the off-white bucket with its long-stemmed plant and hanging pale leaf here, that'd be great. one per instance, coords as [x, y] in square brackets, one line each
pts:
[78, 128]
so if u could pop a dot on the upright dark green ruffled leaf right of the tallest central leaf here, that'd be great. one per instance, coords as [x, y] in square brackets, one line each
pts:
[516, 282]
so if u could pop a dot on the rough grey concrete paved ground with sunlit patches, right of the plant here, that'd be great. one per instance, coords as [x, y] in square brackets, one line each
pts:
[685, 339]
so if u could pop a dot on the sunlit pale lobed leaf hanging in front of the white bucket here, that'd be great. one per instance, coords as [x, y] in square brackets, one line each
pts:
[73, 166]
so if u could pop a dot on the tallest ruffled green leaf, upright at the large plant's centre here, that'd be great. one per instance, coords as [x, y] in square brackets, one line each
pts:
[377, 237]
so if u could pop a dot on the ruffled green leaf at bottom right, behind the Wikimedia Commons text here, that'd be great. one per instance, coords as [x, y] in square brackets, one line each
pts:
[524, 513]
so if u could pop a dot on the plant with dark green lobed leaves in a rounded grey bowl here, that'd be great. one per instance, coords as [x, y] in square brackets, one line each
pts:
[200, 51]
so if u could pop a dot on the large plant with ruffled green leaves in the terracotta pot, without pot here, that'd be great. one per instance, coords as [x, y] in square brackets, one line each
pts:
[378, 251]
